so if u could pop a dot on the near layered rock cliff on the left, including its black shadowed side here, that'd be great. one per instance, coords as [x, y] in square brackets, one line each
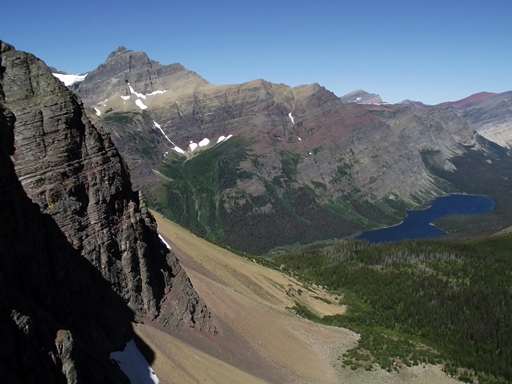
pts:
[80, 258]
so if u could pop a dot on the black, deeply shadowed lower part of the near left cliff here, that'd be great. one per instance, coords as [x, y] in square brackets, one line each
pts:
[59, 318]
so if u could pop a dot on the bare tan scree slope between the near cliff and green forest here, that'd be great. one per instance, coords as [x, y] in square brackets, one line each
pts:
[259, 339]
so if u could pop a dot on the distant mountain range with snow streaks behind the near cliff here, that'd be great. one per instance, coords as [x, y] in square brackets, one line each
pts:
[258, 165]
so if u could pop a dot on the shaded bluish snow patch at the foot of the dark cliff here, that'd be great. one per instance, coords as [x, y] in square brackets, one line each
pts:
[134, 365]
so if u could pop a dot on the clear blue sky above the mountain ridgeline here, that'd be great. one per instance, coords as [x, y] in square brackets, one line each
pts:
[426, 50]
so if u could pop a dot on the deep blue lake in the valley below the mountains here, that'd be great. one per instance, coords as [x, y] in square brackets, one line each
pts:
[418, 224]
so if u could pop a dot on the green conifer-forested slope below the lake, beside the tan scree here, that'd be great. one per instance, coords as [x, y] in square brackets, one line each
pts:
[421, 301]
